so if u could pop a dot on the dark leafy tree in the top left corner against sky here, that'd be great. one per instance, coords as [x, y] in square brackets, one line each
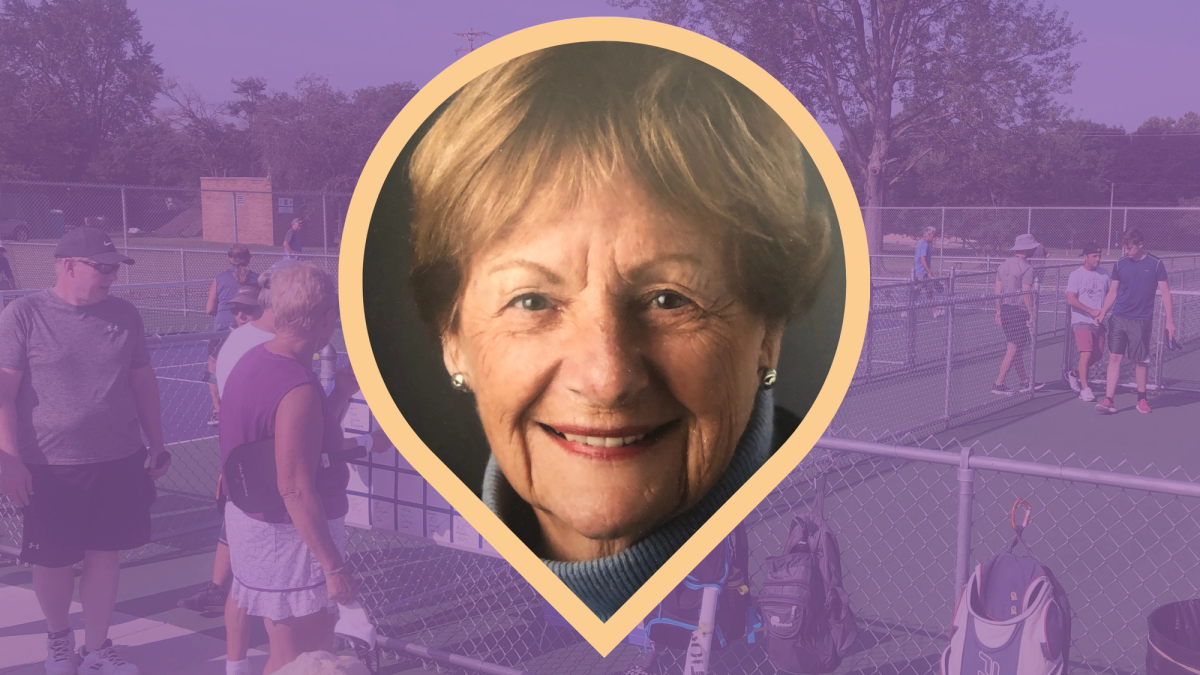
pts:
[75, 76]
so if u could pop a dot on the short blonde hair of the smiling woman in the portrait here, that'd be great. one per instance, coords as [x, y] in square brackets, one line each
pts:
[565, 122]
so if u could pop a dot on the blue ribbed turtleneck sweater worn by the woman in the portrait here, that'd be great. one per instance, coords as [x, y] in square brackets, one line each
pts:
[605, 584]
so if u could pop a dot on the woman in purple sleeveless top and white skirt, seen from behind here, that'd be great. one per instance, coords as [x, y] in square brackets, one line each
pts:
[290, 566]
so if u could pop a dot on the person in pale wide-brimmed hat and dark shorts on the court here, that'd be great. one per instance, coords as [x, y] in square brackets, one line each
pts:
[1015, 315]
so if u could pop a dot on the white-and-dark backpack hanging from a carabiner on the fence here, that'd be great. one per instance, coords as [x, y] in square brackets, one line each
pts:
[1013, 617]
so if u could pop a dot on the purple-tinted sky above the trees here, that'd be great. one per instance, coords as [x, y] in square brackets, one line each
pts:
[1136, 63]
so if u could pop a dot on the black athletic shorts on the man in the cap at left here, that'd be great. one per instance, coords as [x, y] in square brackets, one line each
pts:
[98, 507]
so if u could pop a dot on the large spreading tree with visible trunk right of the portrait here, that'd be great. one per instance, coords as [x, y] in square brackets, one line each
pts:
[898, 77]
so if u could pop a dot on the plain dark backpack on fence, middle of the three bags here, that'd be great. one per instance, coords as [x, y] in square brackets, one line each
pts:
[805, 608]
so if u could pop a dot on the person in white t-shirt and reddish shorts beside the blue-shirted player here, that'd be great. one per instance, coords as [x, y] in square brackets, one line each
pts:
[1087, 289]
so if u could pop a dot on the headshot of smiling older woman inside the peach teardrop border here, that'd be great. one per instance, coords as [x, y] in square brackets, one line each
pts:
[604, 283]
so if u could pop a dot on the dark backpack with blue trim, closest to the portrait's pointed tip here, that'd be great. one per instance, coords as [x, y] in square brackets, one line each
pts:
[676, 618]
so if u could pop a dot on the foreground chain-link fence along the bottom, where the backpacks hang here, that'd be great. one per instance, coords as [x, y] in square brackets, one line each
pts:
[1120, 539]
